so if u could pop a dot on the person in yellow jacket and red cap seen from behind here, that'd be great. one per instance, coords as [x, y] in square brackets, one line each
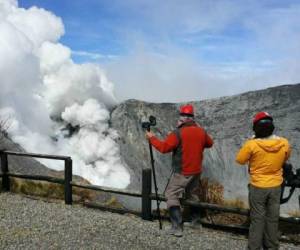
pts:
[265, 155]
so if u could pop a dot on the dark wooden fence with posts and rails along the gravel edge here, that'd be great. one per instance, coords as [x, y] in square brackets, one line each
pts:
[146, 194]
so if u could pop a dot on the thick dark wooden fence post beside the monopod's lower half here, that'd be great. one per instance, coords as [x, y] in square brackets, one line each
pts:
[146, 192]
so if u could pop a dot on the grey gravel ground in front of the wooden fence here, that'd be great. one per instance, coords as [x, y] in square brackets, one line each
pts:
[27, 223]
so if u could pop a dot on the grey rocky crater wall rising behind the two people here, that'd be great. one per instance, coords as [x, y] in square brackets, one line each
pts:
[227, 120]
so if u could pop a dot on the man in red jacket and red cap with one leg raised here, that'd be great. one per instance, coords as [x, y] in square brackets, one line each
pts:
[187, 143]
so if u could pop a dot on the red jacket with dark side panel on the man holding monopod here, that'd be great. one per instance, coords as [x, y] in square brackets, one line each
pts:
[187, 149]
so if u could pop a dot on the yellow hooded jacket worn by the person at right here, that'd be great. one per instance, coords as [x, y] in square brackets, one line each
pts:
[265, 158]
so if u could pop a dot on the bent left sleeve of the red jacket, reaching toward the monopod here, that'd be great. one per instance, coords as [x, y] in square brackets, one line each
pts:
[165, 146]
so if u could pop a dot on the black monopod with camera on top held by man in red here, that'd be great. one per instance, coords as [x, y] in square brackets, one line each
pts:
[147, 125]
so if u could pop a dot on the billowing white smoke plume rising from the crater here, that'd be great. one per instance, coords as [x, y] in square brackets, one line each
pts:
[40, 81]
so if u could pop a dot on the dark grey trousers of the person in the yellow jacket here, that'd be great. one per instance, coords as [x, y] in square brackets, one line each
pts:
[264, 216]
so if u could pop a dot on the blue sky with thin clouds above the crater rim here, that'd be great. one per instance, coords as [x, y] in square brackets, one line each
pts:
[231, 45]
